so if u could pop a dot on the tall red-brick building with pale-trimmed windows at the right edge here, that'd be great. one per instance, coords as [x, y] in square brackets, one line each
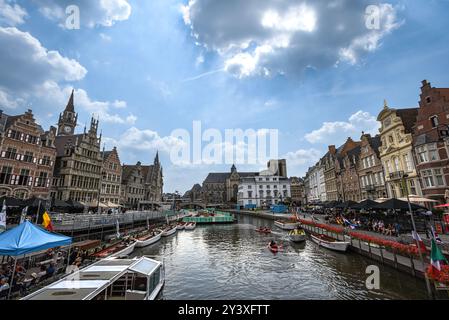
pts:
[431, 141]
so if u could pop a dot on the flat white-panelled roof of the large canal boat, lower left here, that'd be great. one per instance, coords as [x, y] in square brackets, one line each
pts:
[87, 283]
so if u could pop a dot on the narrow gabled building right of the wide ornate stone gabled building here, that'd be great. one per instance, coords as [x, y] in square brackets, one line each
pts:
[112, 178]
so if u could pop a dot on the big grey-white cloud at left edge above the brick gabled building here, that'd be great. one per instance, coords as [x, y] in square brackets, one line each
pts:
[31, 72]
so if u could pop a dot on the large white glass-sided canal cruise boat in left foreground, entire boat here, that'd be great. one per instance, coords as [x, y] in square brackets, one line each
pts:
[108, 279]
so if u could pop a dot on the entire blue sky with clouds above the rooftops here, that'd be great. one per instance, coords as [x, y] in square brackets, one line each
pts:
[314, 70]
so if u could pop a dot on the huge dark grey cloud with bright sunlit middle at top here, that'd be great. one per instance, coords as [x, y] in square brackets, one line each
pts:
[285, 37]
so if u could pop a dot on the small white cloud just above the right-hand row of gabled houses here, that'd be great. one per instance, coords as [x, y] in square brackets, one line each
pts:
[338, 131]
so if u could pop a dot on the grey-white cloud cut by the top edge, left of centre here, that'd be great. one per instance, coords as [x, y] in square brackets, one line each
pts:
[93, 13]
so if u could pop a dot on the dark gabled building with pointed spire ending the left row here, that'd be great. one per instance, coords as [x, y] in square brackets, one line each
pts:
[142, 185]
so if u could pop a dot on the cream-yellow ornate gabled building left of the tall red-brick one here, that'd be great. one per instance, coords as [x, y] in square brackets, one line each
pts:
[396, 151]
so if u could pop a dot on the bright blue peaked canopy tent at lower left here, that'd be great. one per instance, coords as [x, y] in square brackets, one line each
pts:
[28, 238]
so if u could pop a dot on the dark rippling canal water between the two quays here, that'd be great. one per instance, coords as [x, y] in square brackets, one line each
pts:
[233, 262]
